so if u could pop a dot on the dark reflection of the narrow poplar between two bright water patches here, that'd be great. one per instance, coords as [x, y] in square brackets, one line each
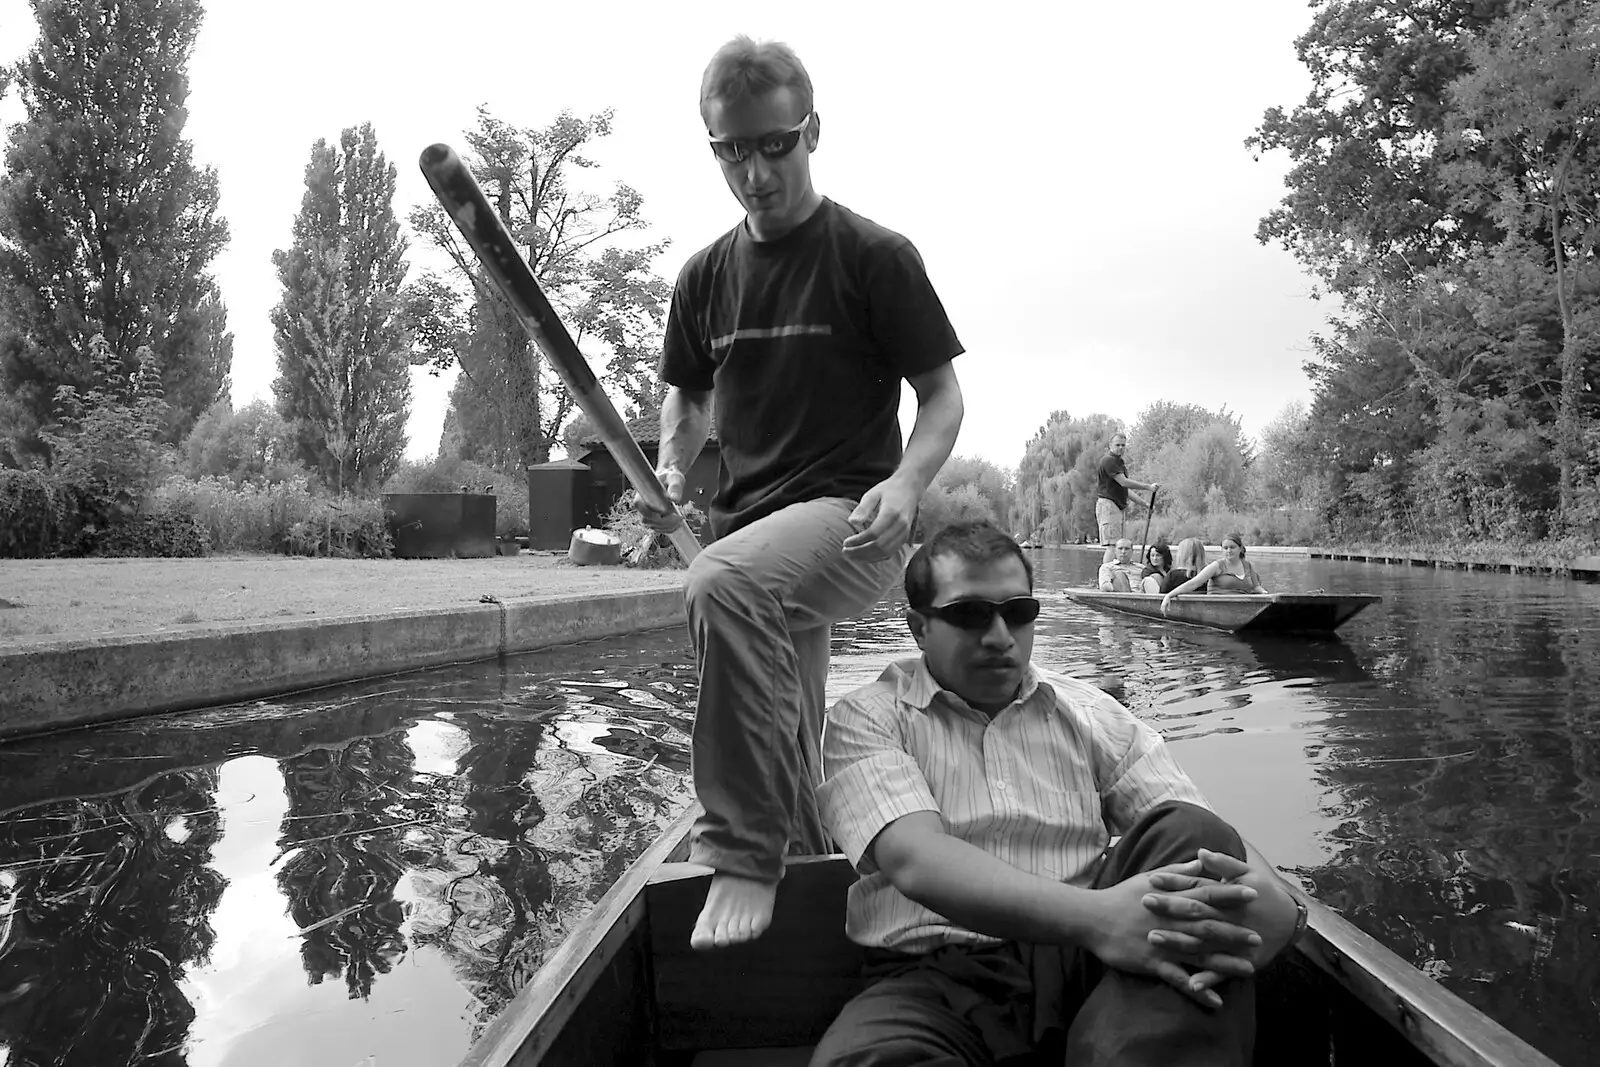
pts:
[342, 837]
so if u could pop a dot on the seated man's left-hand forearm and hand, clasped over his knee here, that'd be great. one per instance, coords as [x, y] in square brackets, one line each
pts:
[983, 893]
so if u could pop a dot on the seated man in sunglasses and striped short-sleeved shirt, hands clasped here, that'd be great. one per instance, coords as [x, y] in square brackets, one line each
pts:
[977, 796]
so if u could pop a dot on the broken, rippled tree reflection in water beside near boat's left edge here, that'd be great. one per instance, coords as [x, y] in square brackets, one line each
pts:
[554, 813]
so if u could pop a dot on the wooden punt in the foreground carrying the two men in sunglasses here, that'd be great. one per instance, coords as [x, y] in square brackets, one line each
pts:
[626, 991]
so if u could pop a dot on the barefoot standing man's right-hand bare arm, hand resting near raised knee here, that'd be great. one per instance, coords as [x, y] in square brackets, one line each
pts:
[887, 511]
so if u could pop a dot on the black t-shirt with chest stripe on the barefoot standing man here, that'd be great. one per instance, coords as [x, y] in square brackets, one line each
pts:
[806, 342]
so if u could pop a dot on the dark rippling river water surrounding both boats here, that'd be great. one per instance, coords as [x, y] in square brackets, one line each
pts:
[366, 874]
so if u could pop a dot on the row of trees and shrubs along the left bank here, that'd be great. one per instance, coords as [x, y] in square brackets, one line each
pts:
[114, 337]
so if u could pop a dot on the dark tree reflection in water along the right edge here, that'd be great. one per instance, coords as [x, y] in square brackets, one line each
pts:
[1468, 823]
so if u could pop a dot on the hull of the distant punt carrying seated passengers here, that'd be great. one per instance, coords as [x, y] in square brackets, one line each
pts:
[1262, 613]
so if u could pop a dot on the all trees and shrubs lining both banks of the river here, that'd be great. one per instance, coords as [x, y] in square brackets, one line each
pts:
[1444, 186]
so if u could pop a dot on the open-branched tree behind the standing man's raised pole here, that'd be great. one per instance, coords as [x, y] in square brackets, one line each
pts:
[607, 294]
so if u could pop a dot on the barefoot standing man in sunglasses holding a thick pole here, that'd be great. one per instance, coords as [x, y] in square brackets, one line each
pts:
[801, 321]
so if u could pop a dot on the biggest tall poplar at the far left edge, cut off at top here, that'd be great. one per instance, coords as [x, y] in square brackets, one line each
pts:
[106, 225]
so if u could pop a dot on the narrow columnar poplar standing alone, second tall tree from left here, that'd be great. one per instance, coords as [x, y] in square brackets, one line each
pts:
[340, 329]
